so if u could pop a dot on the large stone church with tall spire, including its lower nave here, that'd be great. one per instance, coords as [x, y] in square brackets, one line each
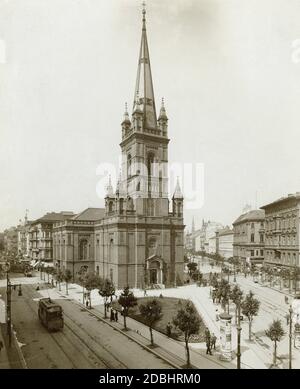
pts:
[139, 240]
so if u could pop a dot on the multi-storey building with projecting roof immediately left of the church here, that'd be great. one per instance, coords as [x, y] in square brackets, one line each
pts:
[40, 235]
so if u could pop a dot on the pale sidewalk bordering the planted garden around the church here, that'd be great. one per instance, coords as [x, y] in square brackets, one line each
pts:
[253, 354]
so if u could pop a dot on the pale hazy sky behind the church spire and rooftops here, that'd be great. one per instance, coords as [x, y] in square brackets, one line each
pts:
[229, 71]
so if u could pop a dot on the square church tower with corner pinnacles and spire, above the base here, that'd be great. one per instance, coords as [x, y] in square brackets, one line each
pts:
[145, 144]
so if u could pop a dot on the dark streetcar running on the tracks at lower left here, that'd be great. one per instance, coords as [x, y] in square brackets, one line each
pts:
[51, 314]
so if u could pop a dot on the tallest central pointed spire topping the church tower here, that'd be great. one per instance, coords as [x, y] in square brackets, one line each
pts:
[144, 84]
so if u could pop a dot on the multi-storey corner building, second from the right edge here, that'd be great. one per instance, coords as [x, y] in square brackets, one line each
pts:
[248, 241]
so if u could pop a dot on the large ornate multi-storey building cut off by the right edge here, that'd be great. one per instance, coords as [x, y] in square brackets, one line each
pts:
[282, 226]
